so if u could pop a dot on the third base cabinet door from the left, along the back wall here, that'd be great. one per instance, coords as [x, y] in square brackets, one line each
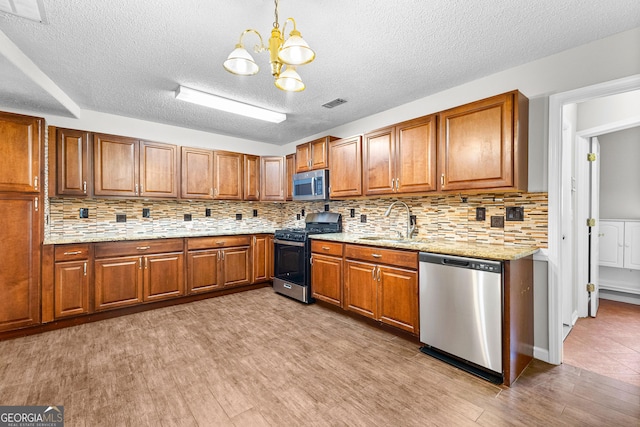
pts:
[163, 276]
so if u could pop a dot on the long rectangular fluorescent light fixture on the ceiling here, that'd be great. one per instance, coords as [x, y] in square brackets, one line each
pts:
[228, 105]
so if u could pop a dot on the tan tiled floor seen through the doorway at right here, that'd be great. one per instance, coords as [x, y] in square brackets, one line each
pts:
[608, 344]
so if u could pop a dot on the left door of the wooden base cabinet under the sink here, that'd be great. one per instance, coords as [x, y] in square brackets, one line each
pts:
[360, 288]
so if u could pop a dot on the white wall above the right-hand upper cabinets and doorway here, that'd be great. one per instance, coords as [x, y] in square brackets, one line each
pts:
[603, 60]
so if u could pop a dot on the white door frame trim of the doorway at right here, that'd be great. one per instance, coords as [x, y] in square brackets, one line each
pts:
[555, 190]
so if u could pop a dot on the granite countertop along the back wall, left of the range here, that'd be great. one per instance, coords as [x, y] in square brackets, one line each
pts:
[151, 236]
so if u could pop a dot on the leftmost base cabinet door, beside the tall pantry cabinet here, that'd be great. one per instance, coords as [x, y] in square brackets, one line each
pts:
[71, 291]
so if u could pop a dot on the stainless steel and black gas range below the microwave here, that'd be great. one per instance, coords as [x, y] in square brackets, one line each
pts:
[292, 253]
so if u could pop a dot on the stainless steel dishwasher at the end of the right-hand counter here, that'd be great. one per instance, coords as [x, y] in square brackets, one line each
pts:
[461, 312]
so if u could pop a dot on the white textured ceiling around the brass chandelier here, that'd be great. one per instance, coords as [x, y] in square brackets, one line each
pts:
[127, 57]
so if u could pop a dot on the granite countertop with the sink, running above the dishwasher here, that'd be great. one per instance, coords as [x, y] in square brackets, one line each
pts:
[448, 247]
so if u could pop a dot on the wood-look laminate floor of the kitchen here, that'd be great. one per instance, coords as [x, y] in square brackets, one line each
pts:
[259, 359]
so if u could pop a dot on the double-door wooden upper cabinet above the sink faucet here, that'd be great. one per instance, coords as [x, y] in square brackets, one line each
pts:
[401, 158]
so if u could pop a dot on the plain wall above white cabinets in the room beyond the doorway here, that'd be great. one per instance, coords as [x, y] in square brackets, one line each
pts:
[620, 174]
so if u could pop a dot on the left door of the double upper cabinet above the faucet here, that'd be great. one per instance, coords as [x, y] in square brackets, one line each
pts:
[378, 162]
